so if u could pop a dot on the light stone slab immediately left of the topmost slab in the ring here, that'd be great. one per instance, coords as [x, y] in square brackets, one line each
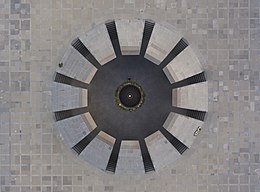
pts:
[99, 44]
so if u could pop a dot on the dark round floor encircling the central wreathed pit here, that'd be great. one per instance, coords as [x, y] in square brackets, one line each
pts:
[138, 124]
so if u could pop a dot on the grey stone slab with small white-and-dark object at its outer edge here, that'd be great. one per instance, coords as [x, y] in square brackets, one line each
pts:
[182, 127]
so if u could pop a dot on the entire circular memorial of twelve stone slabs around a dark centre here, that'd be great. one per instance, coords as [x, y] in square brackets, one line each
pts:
[124, 96]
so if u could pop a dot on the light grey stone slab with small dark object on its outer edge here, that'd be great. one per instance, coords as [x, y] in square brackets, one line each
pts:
[76, 66]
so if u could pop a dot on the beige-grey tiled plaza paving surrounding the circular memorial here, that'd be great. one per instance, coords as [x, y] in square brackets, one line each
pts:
[34, 35]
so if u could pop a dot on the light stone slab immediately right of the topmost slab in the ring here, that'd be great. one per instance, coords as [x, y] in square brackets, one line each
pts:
[163, 39]
